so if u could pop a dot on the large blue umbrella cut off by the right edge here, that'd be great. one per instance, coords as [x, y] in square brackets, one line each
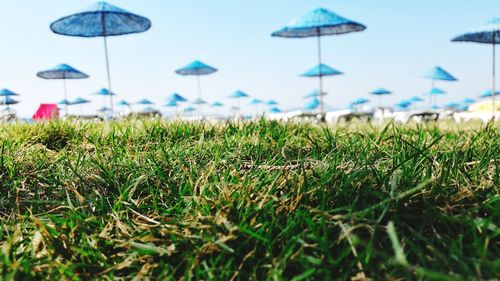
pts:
[486, 34]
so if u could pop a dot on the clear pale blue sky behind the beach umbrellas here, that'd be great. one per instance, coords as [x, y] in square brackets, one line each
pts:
[402, 40]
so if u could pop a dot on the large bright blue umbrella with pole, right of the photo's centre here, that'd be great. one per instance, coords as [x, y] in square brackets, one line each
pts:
[317, 23]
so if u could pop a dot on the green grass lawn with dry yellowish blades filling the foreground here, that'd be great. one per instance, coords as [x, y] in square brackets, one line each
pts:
[255, 201]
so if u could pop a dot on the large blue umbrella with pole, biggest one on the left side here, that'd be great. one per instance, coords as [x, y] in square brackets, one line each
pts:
[101, 20]
